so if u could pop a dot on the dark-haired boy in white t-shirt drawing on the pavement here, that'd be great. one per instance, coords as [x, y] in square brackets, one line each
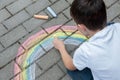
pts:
[100, 54]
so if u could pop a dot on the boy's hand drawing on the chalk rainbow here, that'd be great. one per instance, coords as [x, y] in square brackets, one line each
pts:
[58, 44]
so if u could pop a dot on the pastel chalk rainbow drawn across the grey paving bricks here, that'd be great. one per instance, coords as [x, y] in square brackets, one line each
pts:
[31, 49]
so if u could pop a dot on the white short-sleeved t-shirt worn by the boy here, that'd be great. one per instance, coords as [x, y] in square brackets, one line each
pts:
[101, 53]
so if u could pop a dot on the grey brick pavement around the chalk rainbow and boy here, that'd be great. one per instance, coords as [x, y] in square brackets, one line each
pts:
[17, 24]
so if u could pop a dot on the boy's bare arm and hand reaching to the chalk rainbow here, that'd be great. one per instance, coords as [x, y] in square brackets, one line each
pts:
[67, 59]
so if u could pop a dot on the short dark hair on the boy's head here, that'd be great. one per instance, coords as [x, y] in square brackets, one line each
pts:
[91, 13]
